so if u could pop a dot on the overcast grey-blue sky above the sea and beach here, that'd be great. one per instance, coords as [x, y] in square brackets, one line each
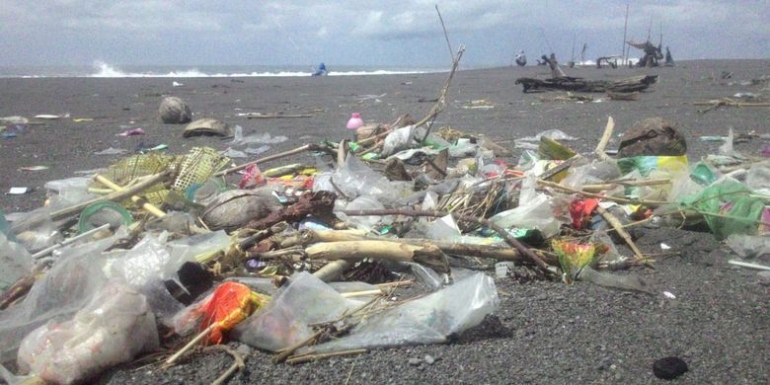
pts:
[362, 32]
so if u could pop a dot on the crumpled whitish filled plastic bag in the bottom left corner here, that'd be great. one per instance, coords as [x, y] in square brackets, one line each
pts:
[113, 328]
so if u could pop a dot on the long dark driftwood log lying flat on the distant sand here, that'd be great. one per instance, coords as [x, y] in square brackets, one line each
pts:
[626, 85]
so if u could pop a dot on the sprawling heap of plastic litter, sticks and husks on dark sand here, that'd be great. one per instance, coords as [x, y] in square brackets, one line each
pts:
[303, 259]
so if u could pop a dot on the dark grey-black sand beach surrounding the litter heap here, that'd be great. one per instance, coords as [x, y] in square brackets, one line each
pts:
[544, 332]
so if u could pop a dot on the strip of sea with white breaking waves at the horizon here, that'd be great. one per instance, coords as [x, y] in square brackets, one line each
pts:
[106, 70]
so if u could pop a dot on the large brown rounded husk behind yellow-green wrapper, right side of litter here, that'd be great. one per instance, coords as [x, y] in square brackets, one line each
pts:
[652, 137]
